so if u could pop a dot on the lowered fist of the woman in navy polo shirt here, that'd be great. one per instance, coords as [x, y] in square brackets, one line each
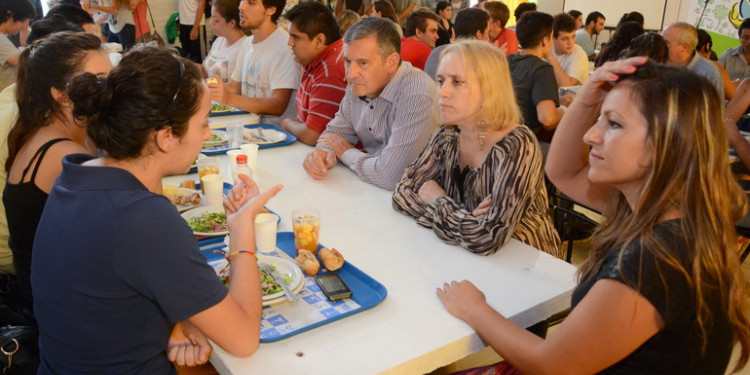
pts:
[187, 346]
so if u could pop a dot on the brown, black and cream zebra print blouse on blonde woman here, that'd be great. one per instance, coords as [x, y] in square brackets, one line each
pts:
[512, 174]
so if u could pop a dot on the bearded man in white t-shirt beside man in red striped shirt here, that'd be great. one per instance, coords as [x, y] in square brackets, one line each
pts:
[266, 75]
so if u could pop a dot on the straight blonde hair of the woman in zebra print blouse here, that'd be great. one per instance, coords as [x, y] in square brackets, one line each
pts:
[489, 66]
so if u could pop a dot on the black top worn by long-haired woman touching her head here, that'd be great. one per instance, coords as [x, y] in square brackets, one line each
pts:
[676, 349]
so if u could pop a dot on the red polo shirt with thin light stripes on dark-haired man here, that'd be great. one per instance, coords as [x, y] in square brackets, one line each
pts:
[321, 88]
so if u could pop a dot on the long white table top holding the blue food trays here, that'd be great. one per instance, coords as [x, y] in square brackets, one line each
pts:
[409, 332]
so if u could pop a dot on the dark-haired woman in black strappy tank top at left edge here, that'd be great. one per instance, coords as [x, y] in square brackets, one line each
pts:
[44, 132]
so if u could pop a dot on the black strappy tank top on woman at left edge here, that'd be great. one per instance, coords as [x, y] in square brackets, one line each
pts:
[24, 203]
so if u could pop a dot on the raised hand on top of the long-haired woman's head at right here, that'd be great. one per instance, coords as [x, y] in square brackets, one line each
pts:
[604, 78]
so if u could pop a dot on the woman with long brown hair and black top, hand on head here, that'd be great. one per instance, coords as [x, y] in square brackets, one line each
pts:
[662, 291]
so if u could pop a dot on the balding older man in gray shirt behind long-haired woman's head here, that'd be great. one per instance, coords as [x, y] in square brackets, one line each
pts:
[681, 40]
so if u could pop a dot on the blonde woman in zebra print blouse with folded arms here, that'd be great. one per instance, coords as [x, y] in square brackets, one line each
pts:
[479, 181]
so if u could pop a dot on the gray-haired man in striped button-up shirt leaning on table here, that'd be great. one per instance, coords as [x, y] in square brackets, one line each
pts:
[389, 109]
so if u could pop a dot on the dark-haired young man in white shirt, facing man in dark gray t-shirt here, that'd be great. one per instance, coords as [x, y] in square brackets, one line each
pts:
[570, 63]
